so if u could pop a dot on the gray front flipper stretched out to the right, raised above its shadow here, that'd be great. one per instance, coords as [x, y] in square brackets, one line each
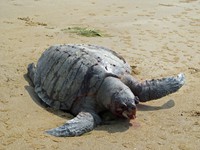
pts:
[156, 88]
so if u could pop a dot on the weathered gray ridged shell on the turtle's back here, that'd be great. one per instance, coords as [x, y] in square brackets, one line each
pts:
[65, 73]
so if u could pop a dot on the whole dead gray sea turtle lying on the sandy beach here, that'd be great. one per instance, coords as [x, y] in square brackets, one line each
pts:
[86, 80]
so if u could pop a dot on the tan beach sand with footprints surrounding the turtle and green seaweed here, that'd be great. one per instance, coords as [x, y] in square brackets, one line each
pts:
[160, 38]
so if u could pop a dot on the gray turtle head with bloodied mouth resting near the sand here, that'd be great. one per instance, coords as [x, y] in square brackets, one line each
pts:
[118, 98]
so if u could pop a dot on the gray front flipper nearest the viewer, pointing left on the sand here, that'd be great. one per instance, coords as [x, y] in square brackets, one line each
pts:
[82, 123]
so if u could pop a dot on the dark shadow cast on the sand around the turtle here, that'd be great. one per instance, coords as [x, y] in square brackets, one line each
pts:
[110, 123]
